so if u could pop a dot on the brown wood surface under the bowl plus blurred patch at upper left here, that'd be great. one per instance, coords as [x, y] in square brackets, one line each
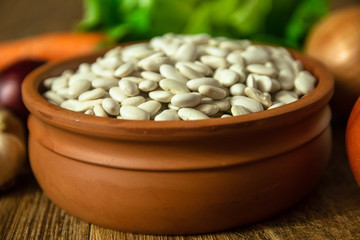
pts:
[330, 211]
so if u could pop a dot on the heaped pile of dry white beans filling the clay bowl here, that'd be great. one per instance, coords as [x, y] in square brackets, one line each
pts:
[182, 77]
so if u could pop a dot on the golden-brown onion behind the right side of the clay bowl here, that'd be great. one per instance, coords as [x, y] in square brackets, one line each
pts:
[335, 41]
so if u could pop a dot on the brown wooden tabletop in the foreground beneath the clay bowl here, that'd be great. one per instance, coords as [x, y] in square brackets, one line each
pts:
[330, 211]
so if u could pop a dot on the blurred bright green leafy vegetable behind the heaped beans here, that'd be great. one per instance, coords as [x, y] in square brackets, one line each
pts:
[283, 22]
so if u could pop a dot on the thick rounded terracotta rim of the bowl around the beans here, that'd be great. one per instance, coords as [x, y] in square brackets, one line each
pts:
[56, 115]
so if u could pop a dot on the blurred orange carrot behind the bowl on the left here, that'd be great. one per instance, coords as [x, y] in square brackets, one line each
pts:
[49, 46]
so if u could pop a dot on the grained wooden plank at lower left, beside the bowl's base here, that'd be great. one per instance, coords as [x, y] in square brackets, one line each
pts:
[26, 213]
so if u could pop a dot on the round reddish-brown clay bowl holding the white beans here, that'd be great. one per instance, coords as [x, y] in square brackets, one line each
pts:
[178, 177]
